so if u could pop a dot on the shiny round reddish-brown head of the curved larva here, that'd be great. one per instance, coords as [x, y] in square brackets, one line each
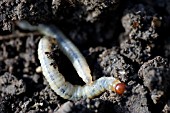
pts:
[120, 88]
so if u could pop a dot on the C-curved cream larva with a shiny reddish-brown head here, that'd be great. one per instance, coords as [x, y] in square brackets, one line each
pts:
[65, 89]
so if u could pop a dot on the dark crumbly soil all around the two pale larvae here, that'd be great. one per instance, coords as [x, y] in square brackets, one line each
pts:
[129, 40]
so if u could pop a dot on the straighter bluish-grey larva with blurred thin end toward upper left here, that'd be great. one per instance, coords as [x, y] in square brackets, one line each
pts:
[66, 46]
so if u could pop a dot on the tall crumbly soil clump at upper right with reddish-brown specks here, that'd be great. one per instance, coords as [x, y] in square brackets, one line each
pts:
[137, 42]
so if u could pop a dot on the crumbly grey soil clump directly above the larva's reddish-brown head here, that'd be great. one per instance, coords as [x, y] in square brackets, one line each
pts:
[113, 64]
